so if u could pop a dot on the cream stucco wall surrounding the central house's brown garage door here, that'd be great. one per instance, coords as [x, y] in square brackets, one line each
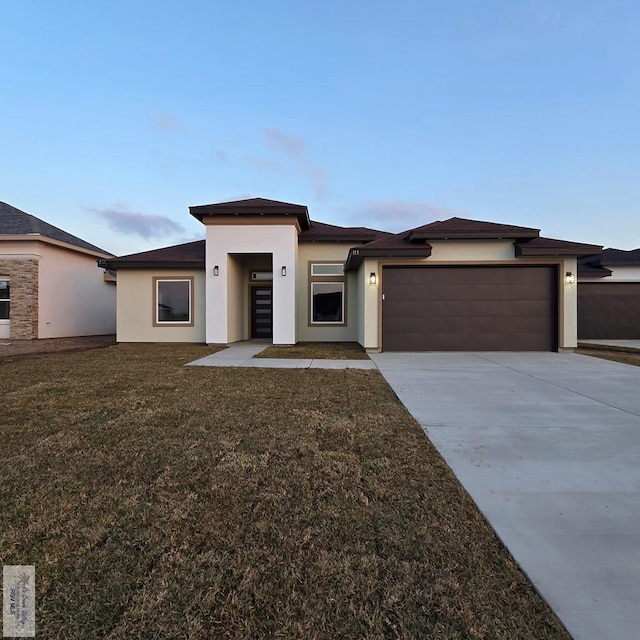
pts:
[474, 252]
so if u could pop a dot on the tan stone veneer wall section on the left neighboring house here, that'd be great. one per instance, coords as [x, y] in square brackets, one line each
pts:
[23, 276]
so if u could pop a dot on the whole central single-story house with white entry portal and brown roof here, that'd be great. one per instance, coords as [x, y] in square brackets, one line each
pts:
[266, 270]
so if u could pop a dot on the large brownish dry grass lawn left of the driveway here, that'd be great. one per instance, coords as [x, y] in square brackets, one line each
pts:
[163, 501]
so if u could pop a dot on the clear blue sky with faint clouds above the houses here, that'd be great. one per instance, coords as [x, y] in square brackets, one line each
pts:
[116, 116]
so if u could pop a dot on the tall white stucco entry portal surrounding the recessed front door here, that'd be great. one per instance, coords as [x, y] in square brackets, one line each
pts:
[224, 243]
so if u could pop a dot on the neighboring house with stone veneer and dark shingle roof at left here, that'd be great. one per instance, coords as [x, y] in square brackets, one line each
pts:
[50, 285]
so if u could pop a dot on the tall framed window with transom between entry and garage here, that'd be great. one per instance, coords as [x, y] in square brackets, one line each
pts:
[327, 293]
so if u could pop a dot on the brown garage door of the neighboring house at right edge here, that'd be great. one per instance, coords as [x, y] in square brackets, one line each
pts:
[609, 310]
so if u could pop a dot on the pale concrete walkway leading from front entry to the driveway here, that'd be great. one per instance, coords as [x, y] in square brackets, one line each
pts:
[242, 355]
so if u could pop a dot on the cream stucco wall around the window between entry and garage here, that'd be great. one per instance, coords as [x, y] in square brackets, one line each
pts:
[325, 252]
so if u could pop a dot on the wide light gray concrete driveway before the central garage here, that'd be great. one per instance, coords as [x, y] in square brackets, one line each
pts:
[548, 445]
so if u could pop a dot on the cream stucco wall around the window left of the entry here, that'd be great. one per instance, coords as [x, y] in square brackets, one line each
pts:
[136, 309]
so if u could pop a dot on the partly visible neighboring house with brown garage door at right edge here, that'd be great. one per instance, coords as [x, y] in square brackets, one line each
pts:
[609, 296]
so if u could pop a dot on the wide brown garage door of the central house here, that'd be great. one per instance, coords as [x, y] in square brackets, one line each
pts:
[469, 309]
